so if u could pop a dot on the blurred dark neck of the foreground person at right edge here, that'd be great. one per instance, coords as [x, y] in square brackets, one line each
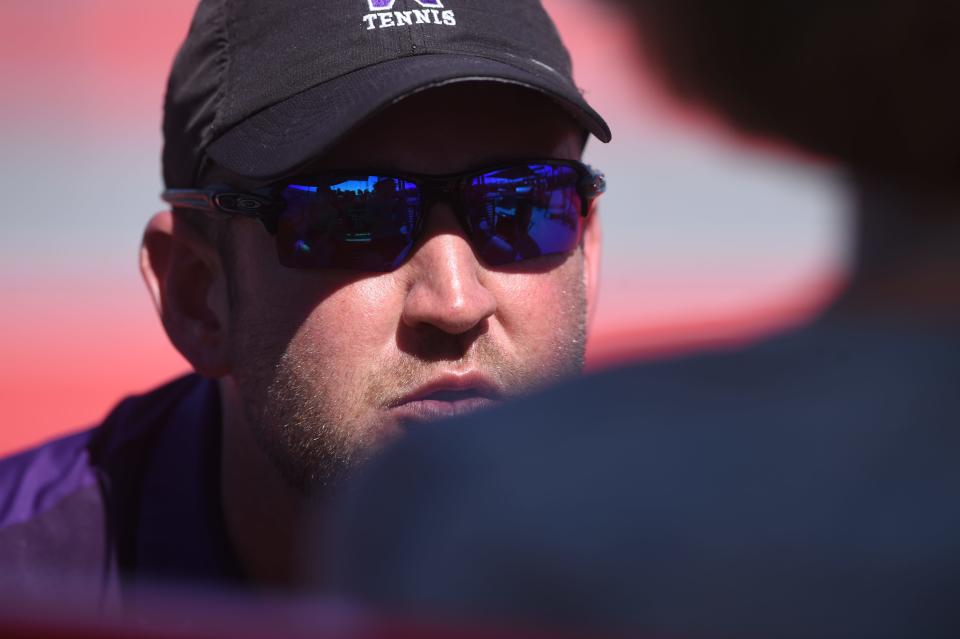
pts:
[908, 263]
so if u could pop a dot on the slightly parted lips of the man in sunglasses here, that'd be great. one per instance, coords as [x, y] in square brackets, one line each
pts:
[446, 396]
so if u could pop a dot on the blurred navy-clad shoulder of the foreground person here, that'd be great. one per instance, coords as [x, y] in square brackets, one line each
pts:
[836, 441]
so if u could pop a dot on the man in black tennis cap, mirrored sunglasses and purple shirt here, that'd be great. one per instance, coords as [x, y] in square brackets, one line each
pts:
[337, 173]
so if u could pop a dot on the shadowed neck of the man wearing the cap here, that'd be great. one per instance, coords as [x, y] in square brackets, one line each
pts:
[263, 514]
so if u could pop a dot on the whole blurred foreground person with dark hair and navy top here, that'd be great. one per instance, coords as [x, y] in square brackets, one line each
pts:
[807, 486]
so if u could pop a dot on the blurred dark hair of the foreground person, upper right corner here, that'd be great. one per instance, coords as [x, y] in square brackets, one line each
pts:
[868, 84]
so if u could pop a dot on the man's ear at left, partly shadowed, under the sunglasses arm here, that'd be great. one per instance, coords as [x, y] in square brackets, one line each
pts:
[185, 277]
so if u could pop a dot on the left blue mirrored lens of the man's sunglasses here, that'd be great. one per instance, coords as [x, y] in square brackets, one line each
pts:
[366, 223]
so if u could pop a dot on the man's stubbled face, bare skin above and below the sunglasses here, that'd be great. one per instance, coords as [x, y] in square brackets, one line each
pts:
[329, 363]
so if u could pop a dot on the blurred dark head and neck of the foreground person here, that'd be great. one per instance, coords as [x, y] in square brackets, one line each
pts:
[868, 85]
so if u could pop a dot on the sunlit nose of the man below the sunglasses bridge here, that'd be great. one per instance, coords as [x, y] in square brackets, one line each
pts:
[447, 289]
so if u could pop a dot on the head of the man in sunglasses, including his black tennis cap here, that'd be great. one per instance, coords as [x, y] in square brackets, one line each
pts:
[353, 295]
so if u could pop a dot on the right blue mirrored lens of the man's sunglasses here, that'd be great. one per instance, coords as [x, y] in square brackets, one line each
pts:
[524, 212]
